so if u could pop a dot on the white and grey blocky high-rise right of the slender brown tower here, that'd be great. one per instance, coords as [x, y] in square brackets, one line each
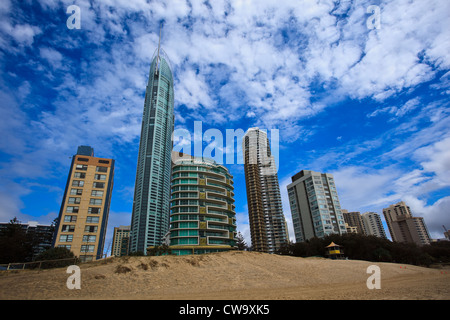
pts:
[315, 207]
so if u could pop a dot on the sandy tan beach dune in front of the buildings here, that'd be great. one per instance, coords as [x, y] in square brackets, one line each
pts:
[227, 276]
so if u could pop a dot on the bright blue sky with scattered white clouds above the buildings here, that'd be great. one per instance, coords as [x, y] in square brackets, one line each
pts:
[370, 106]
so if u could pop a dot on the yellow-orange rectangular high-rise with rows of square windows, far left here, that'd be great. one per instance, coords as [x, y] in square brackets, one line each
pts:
[83, 217]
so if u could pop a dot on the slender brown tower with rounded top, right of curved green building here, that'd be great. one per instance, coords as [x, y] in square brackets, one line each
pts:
[267, 223]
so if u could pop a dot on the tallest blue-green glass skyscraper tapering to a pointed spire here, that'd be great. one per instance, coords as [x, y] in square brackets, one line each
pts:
[150, 215]
